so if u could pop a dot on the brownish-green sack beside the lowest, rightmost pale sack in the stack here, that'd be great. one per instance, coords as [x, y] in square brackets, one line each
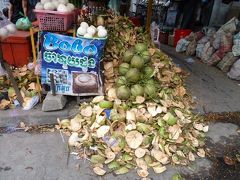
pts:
[227, 62]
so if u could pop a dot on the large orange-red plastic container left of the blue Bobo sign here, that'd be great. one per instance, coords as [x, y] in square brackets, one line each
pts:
[17, 49]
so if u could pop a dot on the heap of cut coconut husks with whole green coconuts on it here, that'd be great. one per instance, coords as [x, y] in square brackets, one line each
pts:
[143, 126]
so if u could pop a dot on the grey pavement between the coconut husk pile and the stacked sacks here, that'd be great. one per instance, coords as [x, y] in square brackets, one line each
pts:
[212, 89]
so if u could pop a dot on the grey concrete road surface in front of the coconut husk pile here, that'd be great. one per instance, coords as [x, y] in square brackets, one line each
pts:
[44, 157]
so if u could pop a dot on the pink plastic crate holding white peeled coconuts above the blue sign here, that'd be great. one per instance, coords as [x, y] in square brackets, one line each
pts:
[54, 20]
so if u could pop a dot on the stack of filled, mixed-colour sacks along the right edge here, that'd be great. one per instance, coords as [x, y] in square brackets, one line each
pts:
[221, 48]
